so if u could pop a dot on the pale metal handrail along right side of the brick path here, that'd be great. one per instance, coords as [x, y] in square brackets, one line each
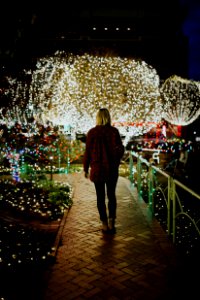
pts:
[173, 194]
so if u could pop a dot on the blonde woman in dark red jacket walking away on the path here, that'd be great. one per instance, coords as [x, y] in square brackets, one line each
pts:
[104, 150]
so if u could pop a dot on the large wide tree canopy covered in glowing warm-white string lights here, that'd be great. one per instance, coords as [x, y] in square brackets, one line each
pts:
[67, 89]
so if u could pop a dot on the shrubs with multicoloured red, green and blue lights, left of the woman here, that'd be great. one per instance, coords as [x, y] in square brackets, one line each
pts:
[45, 152]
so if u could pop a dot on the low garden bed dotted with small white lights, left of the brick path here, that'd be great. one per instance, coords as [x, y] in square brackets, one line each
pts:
[31, 213]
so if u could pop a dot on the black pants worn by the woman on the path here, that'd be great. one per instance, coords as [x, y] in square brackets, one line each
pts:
[108, 186]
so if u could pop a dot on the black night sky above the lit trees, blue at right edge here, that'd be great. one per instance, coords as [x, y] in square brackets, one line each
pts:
[166, 35]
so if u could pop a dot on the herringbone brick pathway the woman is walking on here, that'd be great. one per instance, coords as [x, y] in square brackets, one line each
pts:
[138, 262]
